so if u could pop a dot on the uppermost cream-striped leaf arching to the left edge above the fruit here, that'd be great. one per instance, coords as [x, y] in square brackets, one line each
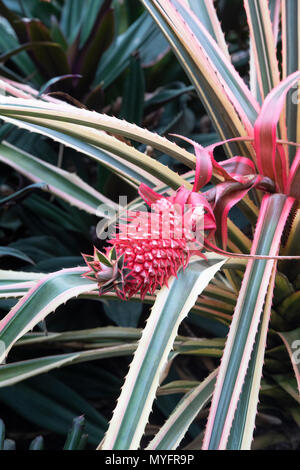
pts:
[86, 125]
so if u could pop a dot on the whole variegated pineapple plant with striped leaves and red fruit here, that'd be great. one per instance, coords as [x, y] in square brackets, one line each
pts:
[257, 294]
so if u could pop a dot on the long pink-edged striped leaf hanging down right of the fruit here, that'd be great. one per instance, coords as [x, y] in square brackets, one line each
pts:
[247, 316]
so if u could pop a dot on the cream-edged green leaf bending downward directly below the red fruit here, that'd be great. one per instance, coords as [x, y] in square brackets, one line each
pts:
[171, 307]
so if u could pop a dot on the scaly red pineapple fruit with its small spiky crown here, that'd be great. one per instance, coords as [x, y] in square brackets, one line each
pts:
[148, 250]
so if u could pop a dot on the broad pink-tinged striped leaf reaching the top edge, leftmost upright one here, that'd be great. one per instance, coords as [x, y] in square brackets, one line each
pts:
[234, 111]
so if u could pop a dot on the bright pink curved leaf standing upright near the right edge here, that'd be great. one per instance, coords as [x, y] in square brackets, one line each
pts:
[271, 159]
